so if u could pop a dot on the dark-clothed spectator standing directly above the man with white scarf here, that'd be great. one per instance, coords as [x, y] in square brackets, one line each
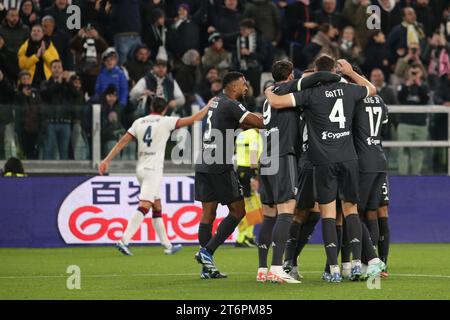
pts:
[155, 34]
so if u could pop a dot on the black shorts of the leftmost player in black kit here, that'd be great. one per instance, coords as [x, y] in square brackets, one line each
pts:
[224, 188]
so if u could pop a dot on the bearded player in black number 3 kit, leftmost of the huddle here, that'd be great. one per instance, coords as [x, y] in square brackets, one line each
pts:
[215, 178]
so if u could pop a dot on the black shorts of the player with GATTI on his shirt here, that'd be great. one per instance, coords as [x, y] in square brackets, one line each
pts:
[339, 179]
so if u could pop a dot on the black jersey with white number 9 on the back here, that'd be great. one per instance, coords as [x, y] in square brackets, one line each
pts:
[281, 125]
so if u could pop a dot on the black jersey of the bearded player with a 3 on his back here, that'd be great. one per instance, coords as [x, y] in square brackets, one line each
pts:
[224, 117]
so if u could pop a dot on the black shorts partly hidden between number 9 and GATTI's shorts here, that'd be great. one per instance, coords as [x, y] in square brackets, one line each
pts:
[305, 186]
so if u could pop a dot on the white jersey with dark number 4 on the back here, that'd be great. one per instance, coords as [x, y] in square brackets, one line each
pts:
[152, 133]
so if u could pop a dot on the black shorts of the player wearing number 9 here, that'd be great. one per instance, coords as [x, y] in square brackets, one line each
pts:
[279, 187]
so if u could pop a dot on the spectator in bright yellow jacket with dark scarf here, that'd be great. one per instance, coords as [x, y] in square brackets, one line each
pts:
[36, 55]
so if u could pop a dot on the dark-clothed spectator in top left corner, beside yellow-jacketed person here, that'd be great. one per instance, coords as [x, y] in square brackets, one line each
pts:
[14, 31]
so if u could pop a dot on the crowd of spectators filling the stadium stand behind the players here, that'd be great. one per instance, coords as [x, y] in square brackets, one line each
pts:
[128, 51]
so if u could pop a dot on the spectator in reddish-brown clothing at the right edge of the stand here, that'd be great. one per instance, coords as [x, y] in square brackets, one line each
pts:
[437, 54]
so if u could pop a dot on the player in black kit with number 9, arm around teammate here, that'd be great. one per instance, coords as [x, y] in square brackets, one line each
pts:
[278, 173]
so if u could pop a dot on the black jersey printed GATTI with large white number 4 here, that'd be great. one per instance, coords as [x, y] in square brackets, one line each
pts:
[329, 111]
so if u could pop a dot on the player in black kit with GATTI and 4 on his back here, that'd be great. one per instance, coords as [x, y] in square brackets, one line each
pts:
[329, 111]
